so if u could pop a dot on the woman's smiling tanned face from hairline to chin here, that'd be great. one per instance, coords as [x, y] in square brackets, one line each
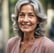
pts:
[27, 19]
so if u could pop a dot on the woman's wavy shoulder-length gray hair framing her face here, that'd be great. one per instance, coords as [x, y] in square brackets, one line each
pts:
[39, 12]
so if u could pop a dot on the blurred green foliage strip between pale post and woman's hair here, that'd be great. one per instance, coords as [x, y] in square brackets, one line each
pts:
[11, 10]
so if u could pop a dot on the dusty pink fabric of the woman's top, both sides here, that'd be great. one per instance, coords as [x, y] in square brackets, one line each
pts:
[41, 45]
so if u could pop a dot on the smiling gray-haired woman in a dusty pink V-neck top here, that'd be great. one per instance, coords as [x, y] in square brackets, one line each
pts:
[29, 24]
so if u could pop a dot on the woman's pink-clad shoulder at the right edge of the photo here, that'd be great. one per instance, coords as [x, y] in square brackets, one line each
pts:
[48, 45]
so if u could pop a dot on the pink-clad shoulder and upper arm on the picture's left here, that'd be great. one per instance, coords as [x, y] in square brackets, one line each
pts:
[11, 42]
